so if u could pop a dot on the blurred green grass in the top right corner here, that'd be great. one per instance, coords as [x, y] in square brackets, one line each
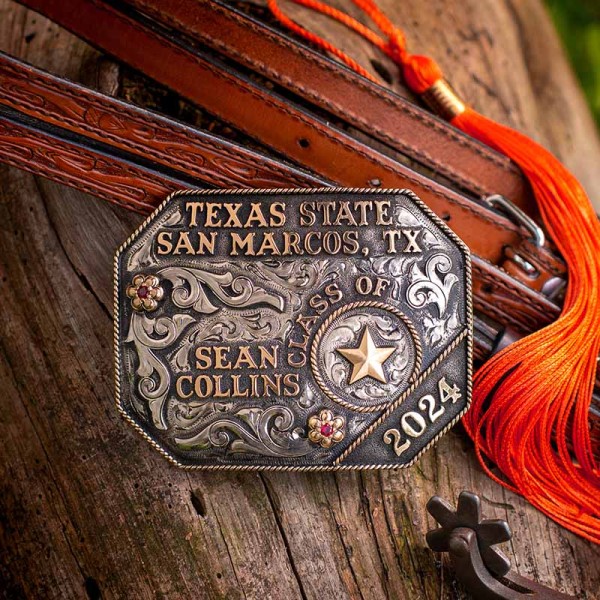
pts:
[578, 24]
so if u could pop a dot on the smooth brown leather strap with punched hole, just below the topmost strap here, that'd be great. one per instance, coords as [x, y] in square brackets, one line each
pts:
[290, 129]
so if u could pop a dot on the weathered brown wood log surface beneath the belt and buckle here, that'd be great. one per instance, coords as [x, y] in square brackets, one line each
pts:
[88, 510]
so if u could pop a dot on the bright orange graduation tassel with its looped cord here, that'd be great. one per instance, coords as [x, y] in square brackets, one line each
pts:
[534, 396]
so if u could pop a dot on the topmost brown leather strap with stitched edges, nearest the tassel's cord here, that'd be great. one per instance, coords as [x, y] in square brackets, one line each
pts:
[345, 94]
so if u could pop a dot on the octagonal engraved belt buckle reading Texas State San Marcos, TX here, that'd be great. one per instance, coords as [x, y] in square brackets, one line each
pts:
[293, 329]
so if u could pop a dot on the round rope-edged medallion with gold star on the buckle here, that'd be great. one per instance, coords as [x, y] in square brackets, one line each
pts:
[364, 355]
